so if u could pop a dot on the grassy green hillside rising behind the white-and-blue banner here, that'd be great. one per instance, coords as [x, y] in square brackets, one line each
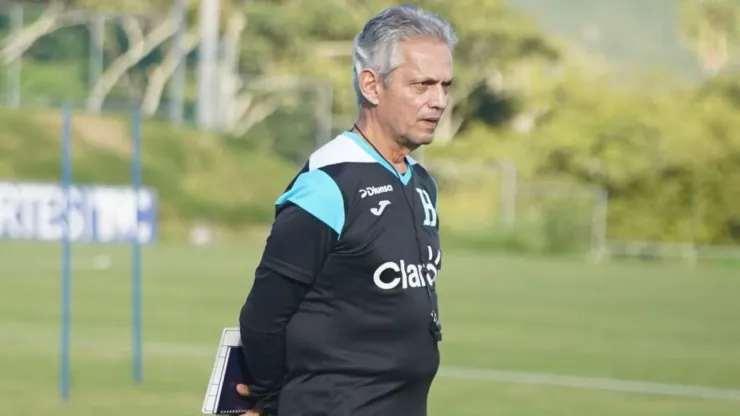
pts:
[198, 176]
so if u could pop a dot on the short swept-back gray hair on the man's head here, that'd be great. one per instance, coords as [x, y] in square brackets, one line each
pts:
[375, 47]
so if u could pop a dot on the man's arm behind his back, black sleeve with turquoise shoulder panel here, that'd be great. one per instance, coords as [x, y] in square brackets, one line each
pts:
[307, 225]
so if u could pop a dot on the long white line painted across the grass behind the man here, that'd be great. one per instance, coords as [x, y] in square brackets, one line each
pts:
[119, 350]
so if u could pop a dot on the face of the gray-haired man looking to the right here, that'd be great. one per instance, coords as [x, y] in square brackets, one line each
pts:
[416, 97]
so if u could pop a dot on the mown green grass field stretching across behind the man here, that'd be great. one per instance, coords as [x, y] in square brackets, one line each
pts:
[514, 328]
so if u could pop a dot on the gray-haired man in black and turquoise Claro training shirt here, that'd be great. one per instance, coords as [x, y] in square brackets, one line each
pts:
[342, 318]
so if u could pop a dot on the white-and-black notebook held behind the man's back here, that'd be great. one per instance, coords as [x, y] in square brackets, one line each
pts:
[229, 369]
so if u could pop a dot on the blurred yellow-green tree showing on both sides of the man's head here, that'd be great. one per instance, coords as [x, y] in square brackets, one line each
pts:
[495, 46]
